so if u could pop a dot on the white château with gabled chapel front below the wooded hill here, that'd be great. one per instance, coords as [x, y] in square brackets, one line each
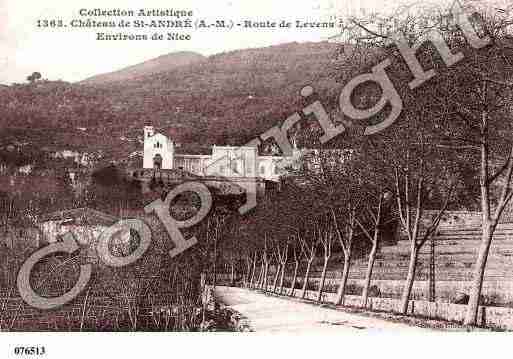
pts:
[226, 161]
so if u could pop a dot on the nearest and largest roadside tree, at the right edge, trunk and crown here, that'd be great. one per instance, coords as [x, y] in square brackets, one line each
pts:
[485, 117]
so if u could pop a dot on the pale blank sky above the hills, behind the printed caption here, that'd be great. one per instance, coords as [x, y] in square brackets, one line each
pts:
[75, 54]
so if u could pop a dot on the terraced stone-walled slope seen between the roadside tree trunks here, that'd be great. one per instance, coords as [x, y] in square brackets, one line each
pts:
[455, 252]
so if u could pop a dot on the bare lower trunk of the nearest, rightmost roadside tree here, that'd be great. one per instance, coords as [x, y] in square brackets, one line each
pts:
[478, 276]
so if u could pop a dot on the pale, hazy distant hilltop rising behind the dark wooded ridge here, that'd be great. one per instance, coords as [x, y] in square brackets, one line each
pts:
[163, 63]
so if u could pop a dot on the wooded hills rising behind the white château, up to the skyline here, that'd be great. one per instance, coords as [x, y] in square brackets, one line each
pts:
[226, 98]
